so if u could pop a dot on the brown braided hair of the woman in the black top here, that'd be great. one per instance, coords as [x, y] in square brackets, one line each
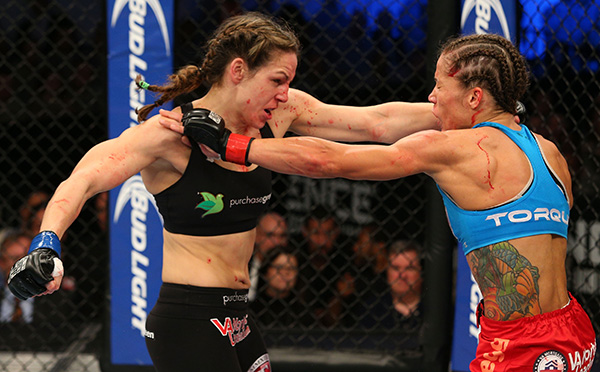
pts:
[253, 36]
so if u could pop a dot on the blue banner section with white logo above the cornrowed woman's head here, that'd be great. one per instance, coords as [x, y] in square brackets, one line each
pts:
[488, 17]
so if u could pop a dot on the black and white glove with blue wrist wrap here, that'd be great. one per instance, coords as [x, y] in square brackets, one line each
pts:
[29, 275]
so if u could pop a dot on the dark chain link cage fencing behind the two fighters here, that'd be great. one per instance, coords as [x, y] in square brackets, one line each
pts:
[53, 96]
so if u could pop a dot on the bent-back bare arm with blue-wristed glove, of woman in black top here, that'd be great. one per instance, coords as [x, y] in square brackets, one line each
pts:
[104, 167]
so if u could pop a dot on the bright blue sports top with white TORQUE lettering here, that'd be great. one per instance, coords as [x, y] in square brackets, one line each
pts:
[541, 208]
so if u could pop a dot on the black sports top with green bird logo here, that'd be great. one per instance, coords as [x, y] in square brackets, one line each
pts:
[210, 200]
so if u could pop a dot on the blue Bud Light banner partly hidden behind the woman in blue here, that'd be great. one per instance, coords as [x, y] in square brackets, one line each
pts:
[477, 17]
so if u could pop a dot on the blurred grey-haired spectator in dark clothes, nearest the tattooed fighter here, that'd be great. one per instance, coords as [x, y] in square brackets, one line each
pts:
[398, 310]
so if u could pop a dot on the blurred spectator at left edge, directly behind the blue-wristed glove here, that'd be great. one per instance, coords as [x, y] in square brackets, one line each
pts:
[14, 246]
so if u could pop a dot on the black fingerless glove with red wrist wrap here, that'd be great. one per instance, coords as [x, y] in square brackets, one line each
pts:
[208, 128]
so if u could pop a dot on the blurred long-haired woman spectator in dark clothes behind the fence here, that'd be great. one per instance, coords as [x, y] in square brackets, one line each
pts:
[278, 303]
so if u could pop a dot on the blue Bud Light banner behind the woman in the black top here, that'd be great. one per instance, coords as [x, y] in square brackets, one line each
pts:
[139, 42]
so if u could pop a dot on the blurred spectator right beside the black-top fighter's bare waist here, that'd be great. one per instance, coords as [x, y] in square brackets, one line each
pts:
[271, 231]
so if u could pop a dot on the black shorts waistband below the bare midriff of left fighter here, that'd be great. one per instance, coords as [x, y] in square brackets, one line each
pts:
[203, 296]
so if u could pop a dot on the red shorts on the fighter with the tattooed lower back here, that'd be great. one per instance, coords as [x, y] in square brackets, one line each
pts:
[561, 340]
